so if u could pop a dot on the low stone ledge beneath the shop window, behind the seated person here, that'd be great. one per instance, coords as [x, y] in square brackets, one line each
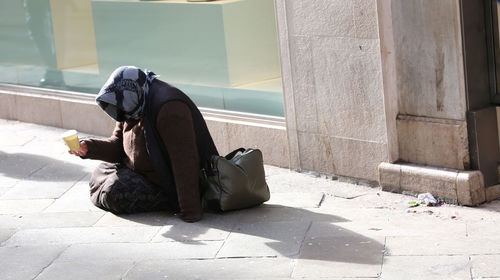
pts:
[230, 130]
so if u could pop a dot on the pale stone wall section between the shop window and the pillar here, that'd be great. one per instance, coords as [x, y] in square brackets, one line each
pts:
[333, 86]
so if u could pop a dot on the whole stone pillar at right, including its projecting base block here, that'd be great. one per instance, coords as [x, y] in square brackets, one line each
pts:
[427, 57]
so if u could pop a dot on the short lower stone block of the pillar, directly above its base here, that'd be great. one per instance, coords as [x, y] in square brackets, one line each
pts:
[433, 141]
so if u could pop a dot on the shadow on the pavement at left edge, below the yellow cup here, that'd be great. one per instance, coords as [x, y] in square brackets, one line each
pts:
[24, 166]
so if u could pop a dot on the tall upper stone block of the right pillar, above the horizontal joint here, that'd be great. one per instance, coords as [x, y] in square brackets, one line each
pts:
[429, 62]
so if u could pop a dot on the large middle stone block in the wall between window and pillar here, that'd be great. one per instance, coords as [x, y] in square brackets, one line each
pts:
[351, 105]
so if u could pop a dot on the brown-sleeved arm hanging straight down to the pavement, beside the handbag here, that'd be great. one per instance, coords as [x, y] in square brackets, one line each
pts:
[175, 126]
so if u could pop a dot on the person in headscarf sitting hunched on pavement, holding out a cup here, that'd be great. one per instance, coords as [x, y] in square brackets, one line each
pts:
[153, 158]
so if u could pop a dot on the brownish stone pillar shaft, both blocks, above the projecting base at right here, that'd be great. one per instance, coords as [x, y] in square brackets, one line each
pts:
[431, 124]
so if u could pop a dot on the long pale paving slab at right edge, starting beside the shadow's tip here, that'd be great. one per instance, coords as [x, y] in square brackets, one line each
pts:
[441, 245]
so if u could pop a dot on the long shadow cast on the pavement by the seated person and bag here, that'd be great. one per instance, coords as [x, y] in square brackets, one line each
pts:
[287, 231]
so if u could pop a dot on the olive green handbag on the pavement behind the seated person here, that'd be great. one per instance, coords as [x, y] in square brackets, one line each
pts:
[235, 181]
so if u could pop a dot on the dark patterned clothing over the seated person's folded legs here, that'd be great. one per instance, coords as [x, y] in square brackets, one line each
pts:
[118, 189]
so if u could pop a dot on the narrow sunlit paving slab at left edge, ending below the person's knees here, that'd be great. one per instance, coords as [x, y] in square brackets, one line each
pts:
[50, 220]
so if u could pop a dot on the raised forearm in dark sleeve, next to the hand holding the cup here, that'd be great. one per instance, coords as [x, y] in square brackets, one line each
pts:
[109, 150]
